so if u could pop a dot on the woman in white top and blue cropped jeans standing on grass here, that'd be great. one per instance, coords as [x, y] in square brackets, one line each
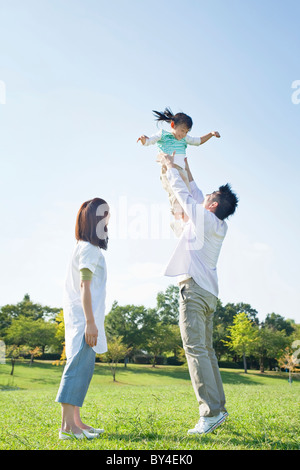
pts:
[84, 310]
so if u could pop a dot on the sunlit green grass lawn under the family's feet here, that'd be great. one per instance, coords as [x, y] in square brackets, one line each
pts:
[148, 408]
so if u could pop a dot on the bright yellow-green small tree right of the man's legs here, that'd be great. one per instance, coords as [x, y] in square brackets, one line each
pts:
[242, 336]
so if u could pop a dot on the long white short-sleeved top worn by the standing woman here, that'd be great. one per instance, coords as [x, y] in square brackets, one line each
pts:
[85, 255]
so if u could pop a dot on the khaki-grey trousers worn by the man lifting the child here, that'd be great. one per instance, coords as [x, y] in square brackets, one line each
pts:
[197, 307]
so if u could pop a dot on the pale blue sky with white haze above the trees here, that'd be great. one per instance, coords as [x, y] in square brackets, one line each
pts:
[81, 80]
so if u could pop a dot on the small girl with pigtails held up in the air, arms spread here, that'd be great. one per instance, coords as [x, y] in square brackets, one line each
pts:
[175, 141]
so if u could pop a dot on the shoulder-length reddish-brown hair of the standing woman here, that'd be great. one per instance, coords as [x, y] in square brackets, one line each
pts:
[91, 222]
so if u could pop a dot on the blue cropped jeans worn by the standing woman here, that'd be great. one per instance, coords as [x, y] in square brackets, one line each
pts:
[77, 376]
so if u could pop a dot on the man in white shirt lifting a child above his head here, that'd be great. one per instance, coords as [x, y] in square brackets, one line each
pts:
[194, 261]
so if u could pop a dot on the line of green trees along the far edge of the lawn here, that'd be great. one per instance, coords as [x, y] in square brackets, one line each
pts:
[139, 334]
